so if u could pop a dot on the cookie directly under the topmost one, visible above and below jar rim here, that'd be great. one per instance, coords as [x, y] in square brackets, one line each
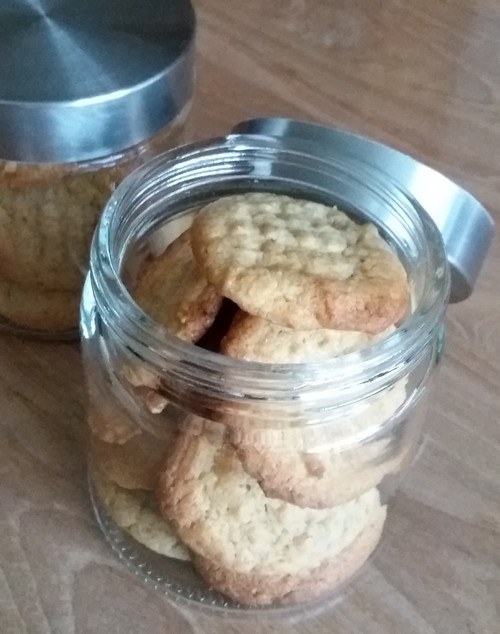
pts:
[315, 466]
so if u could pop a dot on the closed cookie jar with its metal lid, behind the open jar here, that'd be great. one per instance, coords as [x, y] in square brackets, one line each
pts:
[88, 91]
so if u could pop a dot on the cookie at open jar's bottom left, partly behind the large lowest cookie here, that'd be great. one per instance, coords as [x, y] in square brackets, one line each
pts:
[136, 512]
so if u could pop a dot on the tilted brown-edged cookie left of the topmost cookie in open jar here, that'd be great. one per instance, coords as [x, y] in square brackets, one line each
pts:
[174, 293]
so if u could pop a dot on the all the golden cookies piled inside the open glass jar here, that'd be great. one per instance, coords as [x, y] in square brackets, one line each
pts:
[266, 513]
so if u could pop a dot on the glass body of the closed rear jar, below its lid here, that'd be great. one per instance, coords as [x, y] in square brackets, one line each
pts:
[48, 214]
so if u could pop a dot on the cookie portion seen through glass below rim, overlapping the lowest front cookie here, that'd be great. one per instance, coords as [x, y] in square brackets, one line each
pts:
[324, 464]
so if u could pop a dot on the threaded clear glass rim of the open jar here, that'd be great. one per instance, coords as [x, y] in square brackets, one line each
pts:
[381, 362]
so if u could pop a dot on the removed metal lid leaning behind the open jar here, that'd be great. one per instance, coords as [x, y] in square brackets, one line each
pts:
[465, 225]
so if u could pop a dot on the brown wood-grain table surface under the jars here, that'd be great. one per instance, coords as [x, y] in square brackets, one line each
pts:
[424, 77]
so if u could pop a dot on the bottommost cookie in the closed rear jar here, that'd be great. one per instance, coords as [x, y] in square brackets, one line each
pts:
[39, 310]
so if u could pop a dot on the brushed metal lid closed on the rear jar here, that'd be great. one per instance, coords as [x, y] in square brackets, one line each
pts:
[80, 80]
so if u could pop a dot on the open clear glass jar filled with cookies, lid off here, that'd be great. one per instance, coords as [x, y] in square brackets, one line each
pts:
[237, 484]
